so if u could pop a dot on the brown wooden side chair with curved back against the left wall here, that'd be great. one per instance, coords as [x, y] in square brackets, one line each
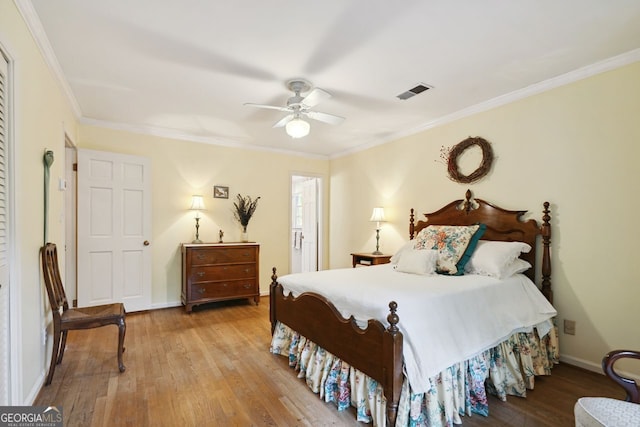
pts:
[66, 319]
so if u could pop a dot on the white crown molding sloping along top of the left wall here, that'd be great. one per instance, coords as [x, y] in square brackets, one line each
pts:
[30, 16]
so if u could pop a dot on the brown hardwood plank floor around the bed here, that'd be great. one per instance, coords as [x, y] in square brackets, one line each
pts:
[213, 368]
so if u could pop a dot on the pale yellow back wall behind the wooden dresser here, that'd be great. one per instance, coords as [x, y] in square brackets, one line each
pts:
[182, 168]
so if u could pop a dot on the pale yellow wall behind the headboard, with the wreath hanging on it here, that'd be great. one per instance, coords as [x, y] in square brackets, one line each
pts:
[577, 147]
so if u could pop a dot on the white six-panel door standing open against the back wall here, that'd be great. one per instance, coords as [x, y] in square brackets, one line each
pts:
[114, 229]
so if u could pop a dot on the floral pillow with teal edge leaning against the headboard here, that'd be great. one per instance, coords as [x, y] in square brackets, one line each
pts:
[454, 244]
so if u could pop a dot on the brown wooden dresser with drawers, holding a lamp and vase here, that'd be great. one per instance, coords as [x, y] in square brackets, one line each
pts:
[219, 271]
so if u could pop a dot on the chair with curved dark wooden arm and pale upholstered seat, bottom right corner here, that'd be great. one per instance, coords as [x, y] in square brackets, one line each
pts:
[598, 411]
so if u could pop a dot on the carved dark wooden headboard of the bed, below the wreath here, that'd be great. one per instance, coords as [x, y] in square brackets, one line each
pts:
[502, 225]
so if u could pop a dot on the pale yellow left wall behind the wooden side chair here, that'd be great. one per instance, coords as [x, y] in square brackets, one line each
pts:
[41, 116]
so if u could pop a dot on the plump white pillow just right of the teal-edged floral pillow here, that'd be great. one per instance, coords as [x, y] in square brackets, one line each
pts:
[496, 259]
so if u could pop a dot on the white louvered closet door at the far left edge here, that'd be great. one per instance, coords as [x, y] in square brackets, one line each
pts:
[4, 259]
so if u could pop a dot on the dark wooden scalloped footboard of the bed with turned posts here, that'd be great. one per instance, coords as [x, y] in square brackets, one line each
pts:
[376, 350]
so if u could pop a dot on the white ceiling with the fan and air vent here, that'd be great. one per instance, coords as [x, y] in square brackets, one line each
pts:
[185, 67]
